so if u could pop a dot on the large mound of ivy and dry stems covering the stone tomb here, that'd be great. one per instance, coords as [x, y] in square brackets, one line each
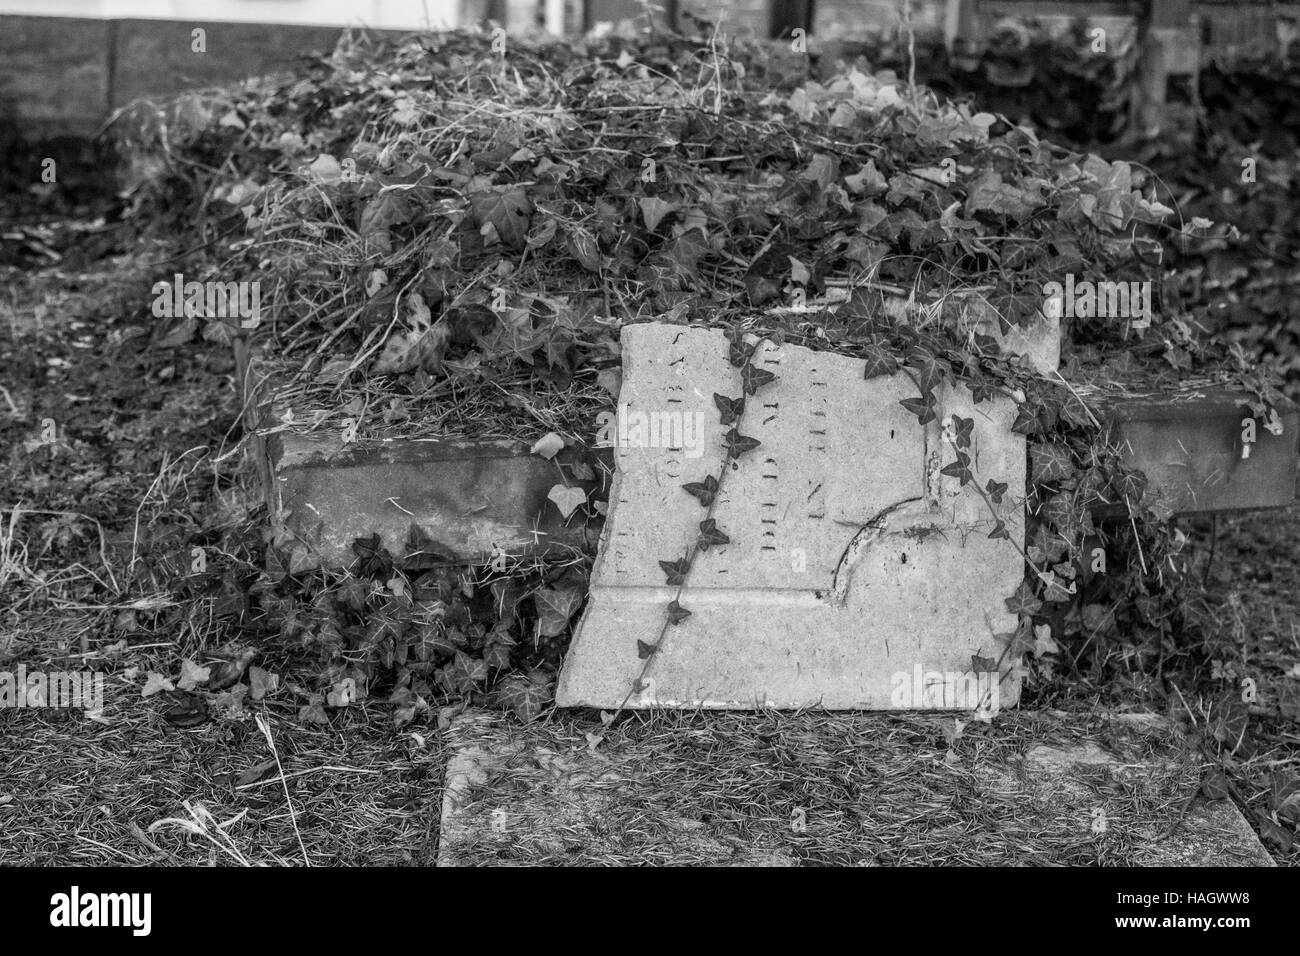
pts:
[448, 223]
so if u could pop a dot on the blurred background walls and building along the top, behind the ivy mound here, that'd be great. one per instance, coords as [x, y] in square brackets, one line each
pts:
[67, 64]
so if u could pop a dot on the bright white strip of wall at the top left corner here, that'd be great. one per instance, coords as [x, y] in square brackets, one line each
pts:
[389, 15]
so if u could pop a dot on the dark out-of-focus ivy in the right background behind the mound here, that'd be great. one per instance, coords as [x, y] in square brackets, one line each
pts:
[1233, 165]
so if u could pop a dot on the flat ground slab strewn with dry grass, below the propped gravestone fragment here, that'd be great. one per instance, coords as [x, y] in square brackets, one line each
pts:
[817, 789]
